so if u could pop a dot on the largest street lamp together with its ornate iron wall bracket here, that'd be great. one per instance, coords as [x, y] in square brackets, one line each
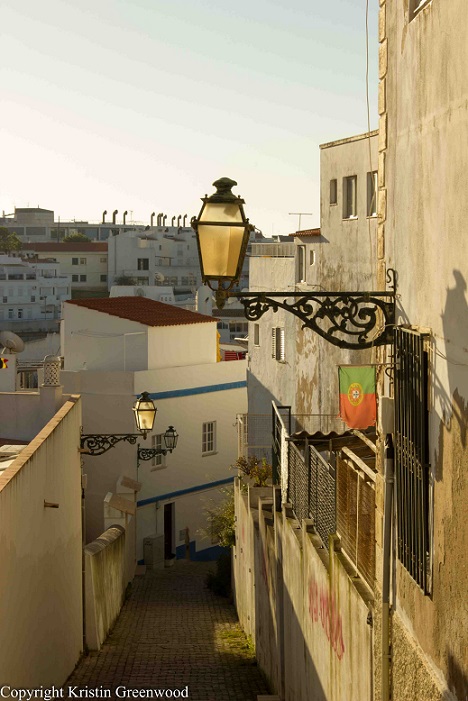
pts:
[354, 320]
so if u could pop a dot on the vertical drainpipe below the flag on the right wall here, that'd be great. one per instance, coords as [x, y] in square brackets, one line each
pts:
[388, 506]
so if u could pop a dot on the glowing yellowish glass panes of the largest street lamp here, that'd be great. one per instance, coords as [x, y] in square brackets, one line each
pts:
[221, 244]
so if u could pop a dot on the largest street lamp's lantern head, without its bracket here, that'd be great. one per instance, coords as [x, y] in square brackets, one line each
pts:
[222, 237]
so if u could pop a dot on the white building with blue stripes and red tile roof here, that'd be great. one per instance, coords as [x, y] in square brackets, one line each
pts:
[115, 349]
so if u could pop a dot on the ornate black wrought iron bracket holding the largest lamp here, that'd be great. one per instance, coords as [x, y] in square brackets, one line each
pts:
[353, 320]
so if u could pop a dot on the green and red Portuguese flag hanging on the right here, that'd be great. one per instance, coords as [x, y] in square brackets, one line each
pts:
[357, 395]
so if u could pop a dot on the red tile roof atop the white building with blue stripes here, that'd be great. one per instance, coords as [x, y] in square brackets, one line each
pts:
[142, 310]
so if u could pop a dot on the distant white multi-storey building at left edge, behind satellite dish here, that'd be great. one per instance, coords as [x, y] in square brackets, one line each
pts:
[30, 291]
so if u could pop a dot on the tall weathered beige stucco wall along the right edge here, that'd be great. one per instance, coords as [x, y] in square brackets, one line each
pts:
[424, 179]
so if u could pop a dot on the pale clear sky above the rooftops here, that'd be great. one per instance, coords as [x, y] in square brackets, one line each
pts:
[140, 105]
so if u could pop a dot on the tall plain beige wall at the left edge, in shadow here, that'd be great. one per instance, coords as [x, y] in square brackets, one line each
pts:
[40, 555]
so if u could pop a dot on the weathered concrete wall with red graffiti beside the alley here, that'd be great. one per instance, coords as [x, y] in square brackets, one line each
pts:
[310, 619]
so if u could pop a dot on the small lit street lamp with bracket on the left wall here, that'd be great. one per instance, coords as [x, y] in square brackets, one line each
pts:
[99, 443]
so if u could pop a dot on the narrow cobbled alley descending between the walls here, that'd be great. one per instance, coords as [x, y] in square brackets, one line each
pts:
[174, 635]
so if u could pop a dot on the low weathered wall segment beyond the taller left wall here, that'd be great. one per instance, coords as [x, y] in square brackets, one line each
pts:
[105, 584]
